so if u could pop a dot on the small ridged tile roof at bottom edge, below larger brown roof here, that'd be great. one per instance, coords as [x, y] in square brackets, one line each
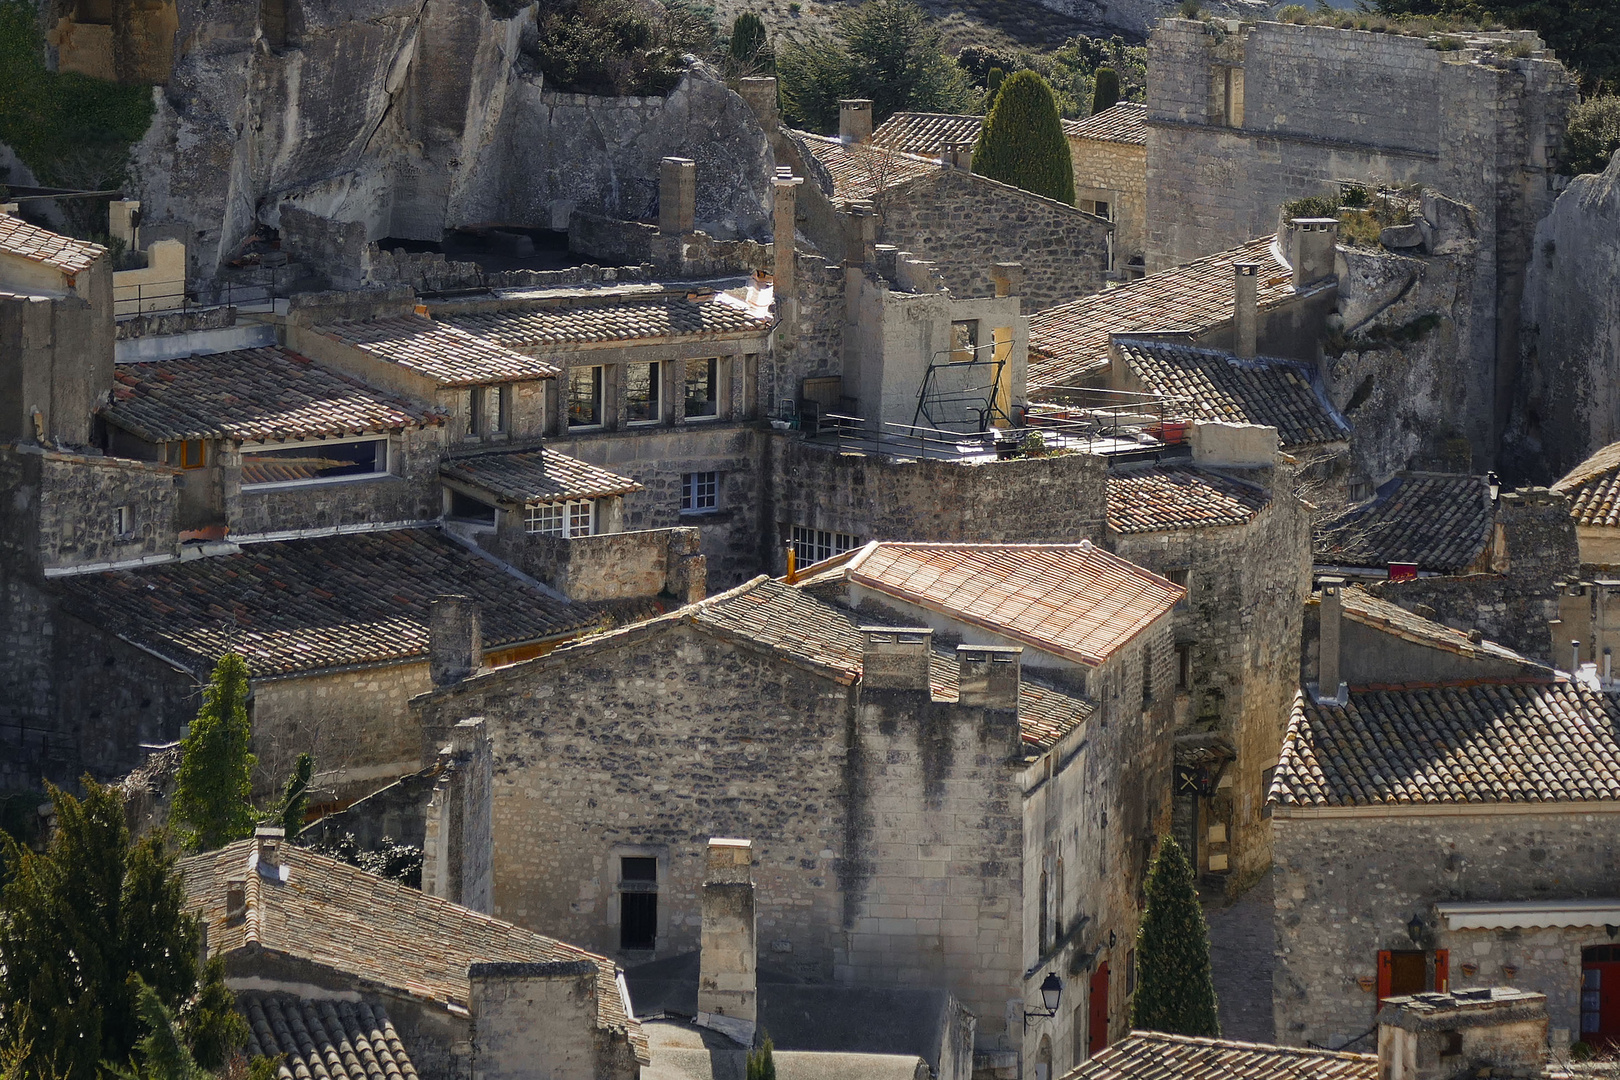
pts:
[325, 1040]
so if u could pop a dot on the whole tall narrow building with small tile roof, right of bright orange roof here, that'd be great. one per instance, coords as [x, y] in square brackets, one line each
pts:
[1227, 527]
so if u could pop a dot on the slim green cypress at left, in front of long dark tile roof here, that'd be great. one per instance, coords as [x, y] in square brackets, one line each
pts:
[215, 784]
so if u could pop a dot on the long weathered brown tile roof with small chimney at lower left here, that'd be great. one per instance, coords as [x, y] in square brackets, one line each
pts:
[341, 917]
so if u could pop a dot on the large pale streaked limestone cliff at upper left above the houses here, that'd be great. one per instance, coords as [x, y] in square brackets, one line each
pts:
[411, 117]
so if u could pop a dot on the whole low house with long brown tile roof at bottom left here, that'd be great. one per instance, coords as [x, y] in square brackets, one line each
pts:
[346, 974]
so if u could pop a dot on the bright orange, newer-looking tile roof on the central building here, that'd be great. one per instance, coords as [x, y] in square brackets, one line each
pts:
[1076, 602]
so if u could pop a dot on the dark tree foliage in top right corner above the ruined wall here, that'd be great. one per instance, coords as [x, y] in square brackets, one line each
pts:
[1584, 33]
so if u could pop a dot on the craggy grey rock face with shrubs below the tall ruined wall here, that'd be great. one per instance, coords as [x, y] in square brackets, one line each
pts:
[1402, 321]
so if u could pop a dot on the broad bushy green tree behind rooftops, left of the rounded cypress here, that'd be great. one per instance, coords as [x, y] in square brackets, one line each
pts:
[887, 51]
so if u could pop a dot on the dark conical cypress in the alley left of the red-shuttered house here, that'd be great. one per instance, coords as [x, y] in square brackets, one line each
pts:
[1175, 990]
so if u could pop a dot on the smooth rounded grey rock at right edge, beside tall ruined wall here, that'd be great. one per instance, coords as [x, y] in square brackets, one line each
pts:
[1569, 401]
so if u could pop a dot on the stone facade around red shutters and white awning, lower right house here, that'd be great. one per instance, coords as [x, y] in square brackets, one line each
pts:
[1347, 887]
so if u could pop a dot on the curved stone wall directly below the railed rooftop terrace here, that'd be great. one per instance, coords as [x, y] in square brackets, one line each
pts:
[1059, 500]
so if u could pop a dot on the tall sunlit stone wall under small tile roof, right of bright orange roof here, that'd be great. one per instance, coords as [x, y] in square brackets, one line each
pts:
[1242, 621]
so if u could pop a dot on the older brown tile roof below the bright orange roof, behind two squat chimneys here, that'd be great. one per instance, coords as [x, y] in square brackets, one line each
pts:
[809, 631]
